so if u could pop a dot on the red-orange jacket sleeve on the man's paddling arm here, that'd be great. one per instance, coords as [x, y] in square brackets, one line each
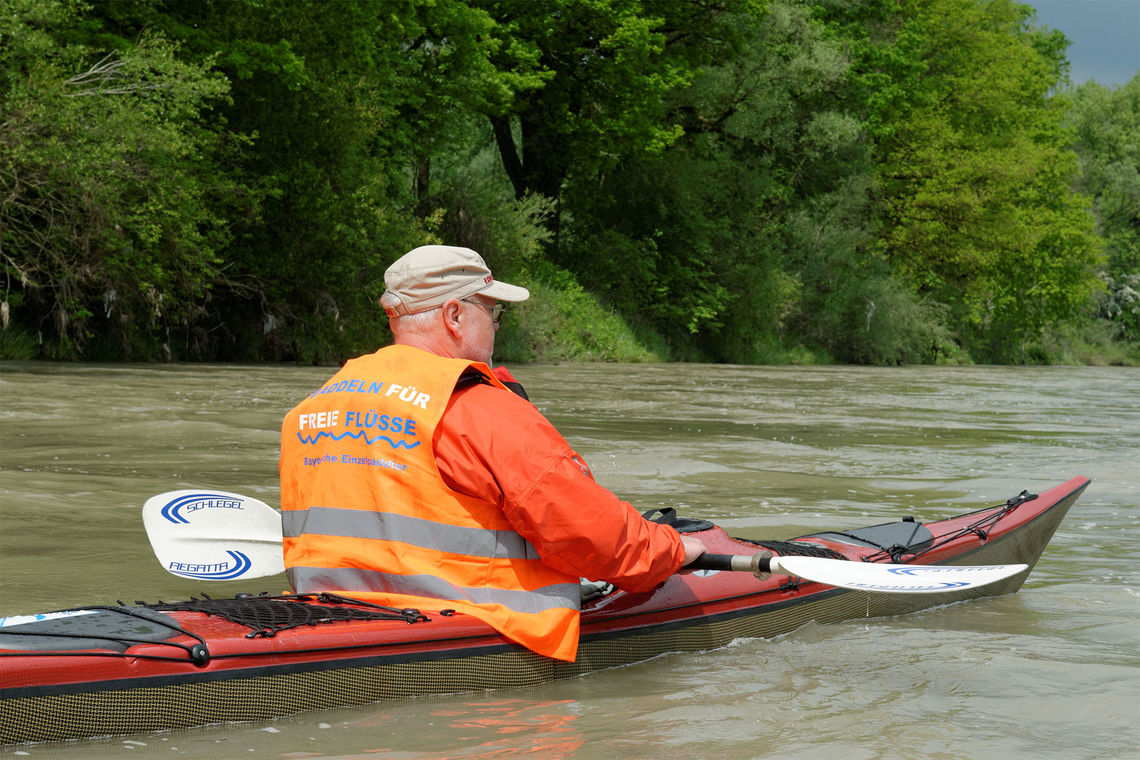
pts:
[496, 446]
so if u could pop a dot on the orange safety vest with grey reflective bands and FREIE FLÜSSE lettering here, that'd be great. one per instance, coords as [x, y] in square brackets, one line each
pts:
[368, 514]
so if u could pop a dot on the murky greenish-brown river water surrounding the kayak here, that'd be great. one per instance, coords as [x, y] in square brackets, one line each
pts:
[1053, 672]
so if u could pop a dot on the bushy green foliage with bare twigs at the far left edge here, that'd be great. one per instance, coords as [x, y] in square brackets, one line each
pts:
[109, 171]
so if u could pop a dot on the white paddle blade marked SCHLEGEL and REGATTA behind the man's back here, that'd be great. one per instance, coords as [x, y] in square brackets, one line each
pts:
[209, 535]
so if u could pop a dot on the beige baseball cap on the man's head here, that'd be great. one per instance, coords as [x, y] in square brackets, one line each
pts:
[427, 277]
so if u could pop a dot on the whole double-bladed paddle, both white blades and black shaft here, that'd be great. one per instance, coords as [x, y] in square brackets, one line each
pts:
[208, 535]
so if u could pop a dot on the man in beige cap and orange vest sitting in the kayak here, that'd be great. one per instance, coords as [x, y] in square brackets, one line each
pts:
[416, 479]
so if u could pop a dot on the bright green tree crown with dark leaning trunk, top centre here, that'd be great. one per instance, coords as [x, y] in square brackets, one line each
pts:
[599, 77]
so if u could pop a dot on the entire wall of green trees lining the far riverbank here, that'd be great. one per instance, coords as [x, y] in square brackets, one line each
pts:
[882, 182]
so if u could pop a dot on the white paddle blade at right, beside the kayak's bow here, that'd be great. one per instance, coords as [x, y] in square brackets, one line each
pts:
[894, 579]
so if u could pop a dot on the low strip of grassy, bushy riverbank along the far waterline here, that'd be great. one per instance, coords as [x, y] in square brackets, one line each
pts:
[563, 322]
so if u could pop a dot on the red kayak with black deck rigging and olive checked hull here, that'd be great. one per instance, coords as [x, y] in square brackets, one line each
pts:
[119, 669]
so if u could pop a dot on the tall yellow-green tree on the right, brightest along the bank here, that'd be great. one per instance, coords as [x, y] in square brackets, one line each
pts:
[975, 170]
